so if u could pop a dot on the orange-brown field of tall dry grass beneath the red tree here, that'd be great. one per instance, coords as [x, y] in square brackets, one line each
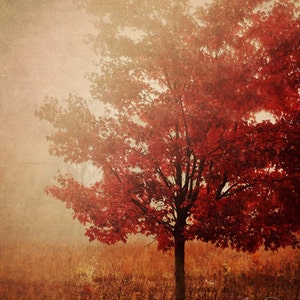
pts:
[138, 271]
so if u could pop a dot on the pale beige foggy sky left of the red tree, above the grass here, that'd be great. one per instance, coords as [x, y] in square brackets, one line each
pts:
[42, 53]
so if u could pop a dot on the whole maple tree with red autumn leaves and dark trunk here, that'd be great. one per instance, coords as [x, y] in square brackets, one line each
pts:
[181, 154]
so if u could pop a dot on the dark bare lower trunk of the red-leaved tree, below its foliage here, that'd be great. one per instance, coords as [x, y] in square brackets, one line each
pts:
[179, 269]
